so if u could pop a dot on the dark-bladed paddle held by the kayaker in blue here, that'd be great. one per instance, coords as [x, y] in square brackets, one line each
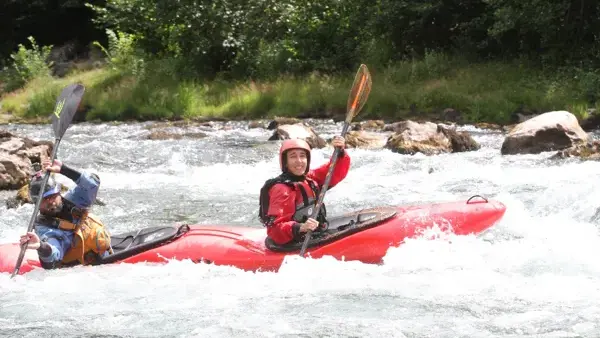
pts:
[66, 107]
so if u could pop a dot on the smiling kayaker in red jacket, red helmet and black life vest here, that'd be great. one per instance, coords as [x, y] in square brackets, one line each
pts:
[287, 201]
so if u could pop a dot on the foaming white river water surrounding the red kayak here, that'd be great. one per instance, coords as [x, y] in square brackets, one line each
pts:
[535, 274]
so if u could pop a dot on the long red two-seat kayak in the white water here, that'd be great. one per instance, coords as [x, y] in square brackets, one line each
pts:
[364, 235]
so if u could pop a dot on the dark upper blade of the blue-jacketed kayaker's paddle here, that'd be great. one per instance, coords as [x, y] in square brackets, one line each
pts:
[66, 108]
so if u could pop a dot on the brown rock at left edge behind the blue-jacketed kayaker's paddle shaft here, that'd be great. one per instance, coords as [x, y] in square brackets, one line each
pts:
[17, 154]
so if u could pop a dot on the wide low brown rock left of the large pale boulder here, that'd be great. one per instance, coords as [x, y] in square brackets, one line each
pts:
[428, 138]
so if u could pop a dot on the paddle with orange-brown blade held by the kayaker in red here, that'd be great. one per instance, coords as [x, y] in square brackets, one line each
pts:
[356, 100]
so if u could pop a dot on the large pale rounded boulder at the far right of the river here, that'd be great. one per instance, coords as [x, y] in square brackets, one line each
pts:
[555, 130]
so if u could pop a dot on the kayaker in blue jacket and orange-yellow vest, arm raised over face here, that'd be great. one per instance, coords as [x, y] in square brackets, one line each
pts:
[66, 233]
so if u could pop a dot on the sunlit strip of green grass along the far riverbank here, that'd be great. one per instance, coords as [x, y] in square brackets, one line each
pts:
[439, 88]
